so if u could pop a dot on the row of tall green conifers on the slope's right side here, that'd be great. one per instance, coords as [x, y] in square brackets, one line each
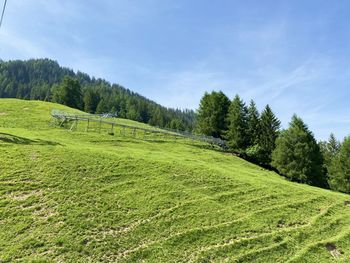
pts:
[258, 137]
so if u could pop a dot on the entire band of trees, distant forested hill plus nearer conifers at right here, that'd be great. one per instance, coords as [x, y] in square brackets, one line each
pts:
[254, 135]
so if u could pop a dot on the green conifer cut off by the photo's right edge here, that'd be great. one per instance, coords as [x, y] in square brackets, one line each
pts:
[339, 169]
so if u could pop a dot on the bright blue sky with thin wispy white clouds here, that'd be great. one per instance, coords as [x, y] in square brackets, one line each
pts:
[292, 55]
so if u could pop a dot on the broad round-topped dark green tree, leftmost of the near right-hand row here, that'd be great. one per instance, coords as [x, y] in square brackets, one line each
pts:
[212, 112]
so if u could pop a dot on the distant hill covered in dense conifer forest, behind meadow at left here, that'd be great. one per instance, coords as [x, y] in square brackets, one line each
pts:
[37, 79]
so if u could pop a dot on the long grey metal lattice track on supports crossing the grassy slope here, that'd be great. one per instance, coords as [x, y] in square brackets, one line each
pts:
[71, 120]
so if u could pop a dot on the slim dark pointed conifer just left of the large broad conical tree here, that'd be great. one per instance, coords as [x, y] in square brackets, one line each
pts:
[269, 126]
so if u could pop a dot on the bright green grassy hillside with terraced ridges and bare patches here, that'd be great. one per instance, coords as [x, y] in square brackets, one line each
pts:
[89, 197]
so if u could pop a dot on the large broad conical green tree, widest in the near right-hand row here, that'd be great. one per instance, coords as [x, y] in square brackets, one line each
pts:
[297, 155]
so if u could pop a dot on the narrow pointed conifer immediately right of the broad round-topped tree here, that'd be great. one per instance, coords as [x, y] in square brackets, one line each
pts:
[237, 135]
